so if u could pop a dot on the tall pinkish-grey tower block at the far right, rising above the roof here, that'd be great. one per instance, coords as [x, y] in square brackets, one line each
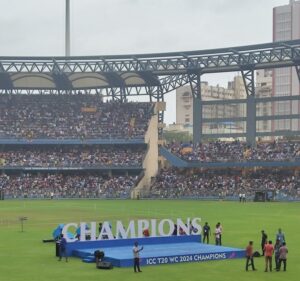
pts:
[286, 26]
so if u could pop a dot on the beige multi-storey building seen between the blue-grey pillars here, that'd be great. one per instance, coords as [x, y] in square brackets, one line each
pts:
[234, 90]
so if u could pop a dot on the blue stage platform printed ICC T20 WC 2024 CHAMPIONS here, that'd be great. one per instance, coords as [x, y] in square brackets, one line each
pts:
[158, 250]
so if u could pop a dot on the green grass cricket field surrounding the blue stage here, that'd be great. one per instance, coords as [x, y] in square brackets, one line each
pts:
[23, 256]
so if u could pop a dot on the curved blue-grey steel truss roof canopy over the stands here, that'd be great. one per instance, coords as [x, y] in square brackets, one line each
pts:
[166, 71]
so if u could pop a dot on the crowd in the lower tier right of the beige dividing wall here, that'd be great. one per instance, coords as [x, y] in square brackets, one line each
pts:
[173, 183]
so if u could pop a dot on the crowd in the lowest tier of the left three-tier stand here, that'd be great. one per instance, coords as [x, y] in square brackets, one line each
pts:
[66, 186]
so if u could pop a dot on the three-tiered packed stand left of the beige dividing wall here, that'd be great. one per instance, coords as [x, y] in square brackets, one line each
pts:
[65, 170]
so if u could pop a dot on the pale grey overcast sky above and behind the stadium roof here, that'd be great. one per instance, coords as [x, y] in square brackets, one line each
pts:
[107, 27]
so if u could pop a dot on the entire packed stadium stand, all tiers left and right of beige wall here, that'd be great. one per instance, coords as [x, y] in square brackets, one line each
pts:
[114, 170]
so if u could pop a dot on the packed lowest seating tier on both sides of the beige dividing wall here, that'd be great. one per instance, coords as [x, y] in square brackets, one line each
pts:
[207, 184]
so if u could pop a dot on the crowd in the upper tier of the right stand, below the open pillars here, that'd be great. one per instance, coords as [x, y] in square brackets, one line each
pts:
[236, 151]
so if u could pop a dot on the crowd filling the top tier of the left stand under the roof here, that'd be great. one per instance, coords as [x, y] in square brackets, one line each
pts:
[71, 116]
